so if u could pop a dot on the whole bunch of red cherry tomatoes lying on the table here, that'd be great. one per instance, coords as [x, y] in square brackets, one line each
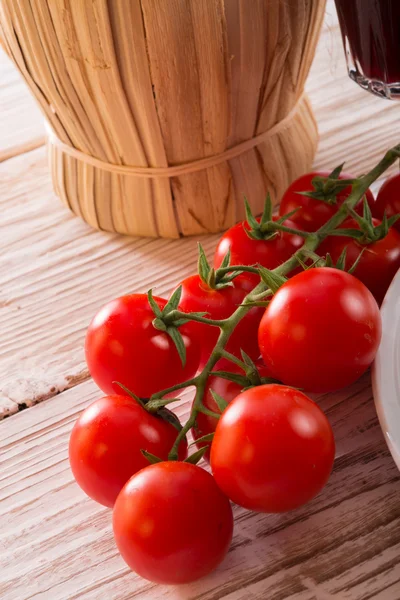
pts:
[270, 447]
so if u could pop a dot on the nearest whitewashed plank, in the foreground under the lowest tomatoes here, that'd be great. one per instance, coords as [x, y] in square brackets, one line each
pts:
[57, 544]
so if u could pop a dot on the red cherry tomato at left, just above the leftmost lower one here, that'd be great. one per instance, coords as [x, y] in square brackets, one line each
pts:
[123, 345]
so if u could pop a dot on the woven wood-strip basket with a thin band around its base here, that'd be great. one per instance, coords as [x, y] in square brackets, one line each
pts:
[163, 114]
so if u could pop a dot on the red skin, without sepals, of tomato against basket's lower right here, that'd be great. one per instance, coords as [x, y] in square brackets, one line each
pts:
[314, 213]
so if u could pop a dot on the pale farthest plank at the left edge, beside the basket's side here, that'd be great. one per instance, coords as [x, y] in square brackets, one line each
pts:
[21, 124]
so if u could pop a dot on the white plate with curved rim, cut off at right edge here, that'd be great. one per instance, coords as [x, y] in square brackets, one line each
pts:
[386, 370]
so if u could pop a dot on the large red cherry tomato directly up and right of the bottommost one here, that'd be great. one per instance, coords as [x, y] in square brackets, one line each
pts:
[273, 449]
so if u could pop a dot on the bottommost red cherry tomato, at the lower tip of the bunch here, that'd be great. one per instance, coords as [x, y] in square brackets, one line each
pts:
[172, 524]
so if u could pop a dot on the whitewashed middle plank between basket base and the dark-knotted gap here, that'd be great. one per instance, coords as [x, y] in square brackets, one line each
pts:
[56, 272]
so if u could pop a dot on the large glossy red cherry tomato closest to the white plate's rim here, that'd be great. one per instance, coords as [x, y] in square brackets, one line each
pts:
[320, 331]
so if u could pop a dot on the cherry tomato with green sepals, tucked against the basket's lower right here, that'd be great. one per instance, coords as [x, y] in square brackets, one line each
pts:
[312, 212]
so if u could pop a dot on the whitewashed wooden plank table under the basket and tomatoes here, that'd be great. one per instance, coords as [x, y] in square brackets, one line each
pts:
[54, 273]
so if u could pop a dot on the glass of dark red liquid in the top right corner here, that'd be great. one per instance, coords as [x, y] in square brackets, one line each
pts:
[371, 39]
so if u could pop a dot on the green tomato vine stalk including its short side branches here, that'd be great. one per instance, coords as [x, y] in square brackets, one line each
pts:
[227, 326]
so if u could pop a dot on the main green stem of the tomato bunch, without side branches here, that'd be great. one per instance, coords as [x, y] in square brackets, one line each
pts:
[311, 243]
